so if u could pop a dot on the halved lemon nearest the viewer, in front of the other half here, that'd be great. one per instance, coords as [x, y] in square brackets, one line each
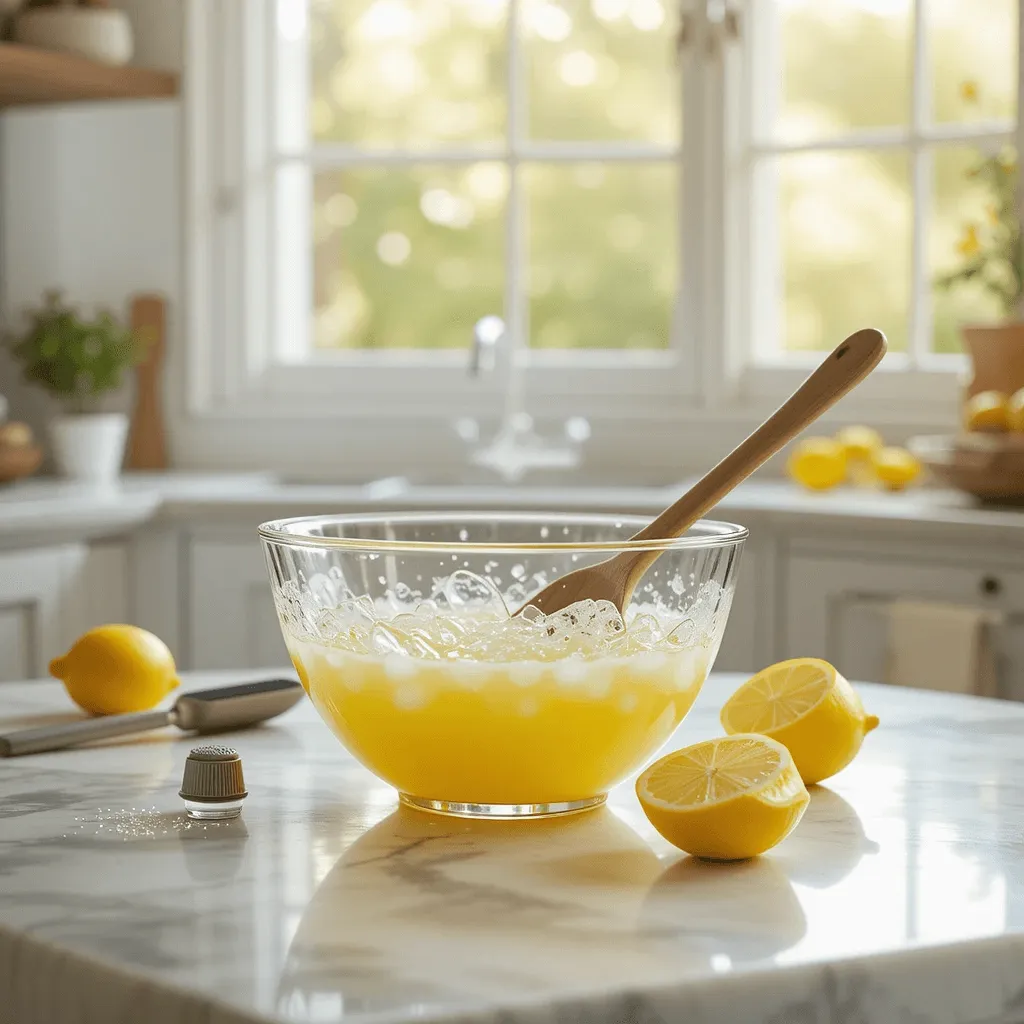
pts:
[726, 799]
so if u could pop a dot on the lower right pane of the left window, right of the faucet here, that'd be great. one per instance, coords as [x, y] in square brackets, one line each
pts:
[604, 254]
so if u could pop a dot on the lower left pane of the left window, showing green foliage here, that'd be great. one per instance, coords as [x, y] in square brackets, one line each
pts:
[408, 259]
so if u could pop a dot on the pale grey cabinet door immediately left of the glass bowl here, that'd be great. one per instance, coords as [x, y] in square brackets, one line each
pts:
[233, 624]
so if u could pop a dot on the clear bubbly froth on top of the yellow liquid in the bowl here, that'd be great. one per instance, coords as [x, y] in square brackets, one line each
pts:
[466, 619]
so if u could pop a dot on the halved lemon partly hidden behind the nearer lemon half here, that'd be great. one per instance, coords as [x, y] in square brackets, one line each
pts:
[808, 707]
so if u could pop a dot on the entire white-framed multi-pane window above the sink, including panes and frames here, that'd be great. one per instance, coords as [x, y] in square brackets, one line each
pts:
[673, 204]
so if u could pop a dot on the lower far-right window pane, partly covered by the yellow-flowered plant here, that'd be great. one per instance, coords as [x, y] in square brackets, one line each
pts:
[971, 197]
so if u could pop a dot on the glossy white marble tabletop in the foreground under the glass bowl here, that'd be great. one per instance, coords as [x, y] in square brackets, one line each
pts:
[900, 899]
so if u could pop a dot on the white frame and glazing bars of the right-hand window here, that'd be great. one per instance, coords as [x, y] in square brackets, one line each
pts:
[918, 387]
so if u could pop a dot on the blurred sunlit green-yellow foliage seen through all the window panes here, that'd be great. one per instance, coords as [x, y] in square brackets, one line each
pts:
[412, 258]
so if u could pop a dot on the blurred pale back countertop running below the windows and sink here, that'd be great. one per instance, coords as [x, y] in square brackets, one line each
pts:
[40, 511]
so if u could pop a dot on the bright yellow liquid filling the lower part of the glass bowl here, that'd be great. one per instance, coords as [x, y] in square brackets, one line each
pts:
[501, 733]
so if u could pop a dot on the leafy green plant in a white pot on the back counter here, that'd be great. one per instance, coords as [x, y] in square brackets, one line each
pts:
[79, 361]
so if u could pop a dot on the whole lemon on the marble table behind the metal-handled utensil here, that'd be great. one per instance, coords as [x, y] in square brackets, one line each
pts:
[116, 669]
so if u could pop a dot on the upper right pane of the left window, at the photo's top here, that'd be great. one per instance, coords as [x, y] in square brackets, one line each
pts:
[602, 69]
